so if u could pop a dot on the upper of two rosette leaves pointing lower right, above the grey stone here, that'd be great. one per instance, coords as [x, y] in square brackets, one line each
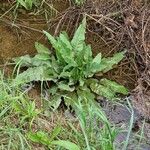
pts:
[117, 88]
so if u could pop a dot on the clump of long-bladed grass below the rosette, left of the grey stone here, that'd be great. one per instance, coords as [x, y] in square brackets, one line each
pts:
[96, 131]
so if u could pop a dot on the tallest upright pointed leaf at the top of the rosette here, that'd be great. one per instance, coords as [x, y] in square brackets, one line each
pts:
[79, 37]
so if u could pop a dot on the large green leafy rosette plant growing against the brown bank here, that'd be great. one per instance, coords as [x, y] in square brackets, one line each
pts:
[70, 68]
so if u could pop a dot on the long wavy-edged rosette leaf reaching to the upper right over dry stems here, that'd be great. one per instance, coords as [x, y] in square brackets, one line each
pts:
[108, 63]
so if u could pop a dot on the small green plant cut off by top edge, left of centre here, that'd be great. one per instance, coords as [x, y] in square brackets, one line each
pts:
[27, 4]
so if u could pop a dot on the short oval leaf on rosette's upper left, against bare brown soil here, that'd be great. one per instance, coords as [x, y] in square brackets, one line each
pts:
[41, 49]
